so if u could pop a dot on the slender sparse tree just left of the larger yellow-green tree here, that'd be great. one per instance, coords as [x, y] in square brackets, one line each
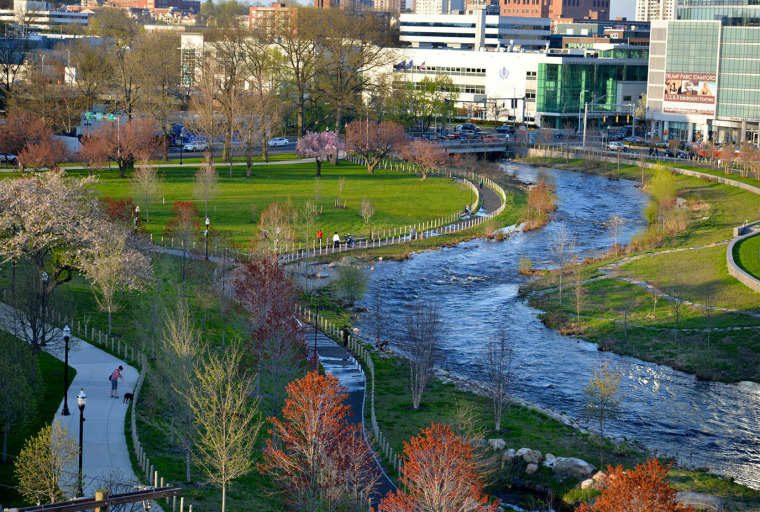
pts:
[180, 352]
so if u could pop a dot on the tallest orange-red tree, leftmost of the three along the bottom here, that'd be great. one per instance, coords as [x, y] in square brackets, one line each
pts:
[309, 456]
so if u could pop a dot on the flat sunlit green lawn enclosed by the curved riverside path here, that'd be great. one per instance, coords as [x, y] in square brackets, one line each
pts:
[400, 198]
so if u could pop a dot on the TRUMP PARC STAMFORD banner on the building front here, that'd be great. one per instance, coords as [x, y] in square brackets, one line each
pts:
[690, 93]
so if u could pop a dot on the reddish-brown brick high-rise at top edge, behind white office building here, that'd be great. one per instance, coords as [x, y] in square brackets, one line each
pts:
[558, 9]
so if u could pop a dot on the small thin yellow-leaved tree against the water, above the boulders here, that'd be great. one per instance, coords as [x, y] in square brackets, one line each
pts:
[602, 398]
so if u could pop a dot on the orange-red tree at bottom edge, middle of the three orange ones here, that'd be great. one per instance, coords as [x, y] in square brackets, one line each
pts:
[440, 475]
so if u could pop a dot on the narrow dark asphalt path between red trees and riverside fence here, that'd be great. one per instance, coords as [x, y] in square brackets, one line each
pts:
[337, 361]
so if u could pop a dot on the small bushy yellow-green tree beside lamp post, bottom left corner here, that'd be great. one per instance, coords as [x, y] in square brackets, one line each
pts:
[46, 466]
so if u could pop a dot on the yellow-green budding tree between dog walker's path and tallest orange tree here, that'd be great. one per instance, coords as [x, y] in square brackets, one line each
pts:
[226, 418]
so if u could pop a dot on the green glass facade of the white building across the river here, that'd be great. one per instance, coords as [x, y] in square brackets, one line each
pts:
[560, 85]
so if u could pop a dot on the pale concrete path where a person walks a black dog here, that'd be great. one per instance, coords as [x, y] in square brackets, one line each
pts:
[105, 444]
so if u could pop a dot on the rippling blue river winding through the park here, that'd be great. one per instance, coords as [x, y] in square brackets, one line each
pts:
[706, 424]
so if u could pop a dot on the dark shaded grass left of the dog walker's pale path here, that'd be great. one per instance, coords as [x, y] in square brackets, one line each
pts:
[51, 370]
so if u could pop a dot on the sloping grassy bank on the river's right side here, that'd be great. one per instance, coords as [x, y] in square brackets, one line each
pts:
[665, 332]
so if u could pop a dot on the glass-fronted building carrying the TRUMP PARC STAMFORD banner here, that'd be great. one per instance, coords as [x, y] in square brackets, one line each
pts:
[704, 80]
